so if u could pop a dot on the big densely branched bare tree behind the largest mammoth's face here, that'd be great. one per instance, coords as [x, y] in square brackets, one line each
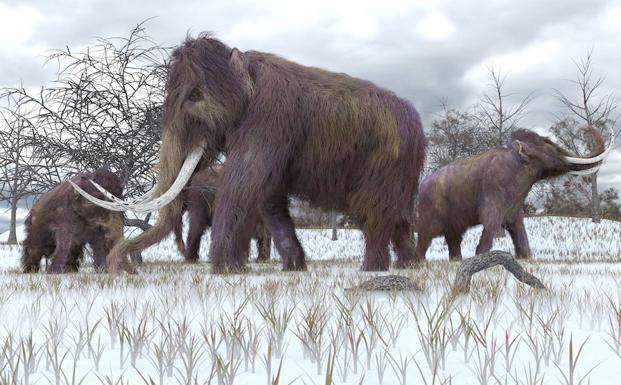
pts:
[105, 108]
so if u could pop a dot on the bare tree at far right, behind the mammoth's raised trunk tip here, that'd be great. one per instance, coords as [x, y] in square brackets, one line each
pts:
[591, 108]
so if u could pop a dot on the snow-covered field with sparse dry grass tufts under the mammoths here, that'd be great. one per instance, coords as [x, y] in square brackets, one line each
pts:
[176, 324]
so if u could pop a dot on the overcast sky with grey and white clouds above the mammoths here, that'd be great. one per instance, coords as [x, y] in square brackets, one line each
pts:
[424, 50]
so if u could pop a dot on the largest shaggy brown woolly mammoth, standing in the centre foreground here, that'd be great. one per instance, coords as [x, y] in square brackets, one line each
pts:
[339, 142]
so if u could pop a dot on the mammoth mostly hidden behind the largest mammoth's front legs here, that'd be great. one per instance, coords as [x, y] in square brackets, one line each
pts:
[199, 199]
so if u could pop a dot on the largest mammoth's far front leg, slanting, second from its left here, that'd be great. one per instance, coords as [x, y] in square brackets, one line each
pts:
[282, 229]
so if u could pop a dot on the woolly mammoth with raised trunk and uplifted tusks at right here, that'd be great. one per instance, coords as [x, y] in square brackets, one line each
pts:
[490, 189]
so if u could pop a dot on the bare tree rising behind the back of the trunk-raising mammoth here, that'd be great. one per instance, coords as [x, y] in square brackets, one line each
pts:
[497, 116]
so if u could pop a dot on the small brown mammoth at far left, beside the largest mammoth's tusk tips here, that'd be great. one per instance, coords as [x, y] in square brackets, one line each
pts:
[61, 223]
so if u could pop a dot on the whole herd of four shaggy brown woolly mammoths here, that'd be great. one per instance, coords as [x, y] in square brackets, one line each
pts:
[341, 143]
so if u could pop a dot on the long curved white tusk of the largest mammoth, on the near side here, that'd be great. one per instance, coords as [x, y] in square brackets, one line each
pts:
[184, 176]
